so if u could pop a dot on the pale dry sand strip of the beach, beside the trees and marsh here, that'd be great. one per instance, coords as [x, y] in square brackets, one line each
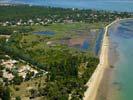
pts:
[102, 69]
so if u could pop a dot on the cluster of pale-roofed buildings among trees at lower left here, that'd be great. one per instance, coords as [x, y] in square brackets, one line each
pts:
[10, 68]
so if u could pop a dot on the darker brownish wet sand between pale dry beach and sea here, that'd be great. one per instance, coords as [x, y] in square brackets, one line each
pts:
[105, 90]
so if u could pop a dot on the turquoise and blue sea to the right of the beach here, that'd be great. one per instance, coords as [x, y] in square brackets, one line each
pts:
[123, 37]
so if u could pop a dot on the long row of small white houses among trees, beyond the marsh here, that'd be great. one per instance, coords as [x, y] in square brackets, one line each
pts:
[57, 18]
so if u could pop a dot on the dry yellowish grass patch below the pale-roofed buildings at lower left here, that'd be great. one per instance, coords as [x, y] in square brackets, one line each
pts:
[23, 90]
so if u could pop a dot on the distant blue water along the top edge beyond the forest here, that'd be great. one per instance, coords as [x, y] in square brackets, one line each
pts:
[118, 5]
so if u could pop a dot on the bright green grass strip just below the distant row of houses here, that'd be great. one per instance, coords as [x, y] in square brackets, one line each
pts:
[64, 29]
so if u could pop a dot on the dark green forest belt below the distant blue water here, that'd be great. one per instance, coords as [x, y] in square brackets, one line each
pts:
[14, 13]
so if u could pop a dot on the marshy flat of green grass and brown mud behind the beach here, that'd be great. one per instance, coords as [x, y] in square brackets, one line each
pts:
[71, 34]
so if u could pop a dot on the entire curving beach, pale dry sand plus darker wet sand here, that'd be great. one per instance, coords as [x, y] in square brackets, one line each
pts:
[98, 84]
